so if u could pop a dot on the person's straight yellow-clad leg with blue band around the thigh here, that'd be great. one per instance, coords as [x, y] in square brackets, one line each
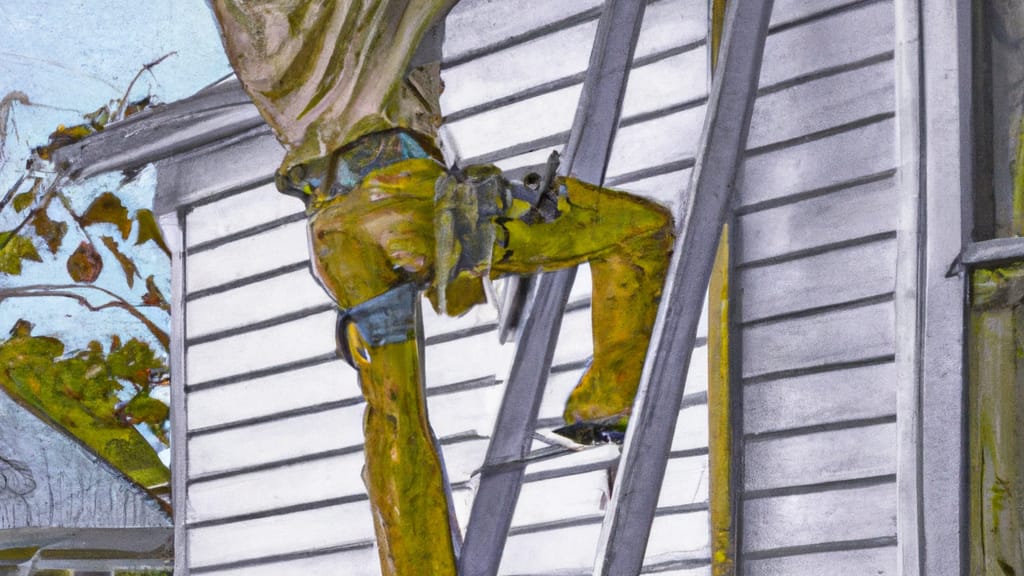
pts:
[371, 250]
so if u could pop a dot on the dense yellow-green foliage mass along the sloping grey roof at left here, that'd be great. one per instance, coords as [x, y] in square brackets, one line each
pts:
[79, 395]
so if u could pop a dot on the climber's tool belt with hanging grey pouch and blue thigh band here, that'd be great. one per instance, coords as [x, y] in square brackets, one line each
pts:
[466, 205]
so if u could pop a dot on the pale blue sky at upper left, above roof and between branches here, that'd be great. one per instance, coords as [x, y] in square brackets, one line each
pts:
[70, 58]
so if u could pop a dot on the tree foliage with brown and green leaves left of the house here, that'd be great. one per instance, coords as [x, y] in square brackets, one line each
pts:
[105, 395]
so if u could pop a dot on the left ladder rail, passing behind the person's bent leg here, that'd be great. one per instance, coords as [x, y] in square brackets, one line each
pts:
[586, 157]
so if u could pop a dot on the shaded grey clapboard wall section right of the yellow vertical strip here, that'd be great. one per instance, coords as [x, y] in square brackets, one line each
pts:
[815, 265]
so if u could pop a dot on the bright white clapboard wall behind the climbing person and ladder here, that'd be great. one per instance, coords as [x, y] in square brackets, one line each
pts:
[273, 447]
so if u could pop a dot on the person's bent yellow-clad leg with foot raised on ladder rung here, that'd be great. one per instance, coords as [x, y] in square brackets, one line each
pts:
[628, 241]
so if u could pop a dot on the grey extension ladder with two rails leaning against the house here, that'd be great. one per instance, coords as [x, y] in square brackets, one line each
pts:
[646, 454]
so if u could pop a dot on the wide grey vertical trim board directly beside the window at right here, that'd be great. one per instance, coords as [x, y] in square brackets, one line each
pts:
[948, 181]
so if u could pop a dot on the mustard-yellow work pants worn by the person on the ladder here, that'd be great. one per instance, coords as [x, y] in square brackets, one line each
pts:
[381, 235]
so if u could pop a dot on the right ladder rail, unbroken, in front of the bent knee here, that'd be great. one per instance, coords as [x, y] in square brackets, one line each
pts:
[649, 439]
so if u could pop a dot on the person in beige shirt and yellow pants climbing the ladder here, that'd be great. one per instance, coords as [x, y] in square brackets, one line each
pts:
[389, 221]
